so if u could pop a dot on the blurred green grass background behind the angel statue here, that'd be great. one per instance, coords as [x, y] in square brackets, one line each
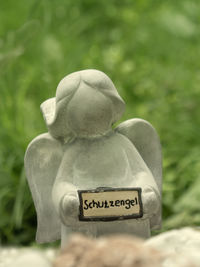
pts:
[151, 51]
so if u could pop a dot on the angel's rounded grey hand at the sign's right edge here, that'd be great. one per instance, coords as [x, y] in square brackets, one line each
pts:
[150, 201]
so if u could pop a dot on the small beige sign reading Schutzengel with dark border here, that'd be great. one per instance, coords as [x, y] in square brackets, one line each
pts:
[110, 204]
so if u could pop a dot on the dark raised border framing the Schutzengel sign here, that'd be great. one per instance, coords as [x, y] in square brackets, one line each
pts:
[110, 218]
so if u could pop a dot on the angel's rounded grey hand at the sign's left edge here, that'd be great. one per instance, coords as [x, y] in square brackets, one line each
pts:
[69, 209]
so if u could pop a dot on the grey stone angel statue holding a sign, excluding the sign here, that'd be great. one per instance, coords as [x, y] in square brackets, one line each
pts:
[83, 151]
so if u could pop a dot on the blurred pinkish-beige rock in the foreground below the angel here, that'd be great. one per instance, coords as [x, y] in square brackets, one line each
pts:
[113, 251]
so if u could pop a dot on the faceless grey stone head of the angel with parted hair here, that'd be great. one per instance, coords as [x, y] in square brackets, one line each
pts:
[86, 104]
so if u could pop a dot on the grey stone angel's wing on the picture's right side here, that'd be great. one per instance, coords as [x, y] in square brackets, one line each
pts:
[145, 139]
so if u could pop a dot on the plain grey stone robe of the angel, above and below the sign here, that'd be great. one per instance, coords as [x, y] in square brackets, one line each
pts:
[105, 161]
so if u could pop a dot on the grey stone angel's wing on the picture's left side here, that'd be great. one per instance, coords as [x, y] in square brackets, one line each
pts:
[42, 160]
